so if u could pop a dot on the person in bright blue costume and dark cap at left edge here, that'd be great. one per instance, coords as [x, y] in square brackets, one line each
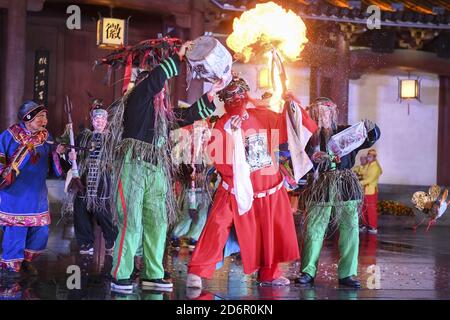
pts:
[25, 155]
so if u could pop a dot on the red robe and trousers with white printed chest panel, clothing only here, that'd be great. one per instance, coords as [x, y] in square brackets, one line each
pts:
[266, 234]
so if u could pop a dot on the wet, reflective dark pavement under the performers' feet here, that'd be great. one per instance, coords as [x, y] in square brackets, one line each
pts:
[395, 264]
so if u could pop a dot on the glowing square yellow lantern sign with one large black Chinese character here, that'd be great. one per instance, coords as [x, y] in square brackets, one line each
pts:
[111, 33]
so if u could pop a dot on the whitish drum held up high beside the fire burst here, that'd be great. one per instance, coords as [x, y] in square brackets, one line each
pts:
[209, 60]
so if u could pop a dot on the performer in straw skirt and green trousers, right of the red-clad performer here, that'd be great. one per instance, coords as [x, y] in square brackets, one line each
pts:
[334, 188]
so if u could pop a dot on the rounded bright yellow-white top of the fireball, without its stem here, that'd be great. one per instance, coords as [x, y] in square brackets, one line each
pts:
[268, 24]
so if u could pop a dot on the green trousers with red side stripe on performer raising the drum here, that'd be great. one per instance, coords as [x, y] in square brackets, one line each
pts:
[141, 207]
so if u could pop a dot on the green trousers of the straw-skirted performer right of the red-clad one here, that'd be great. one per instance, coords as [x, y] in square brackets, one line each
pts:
[318, 219]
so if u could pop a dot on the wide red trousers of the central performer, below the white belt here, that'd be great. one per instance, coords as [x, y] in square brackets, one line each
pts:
[266, 235]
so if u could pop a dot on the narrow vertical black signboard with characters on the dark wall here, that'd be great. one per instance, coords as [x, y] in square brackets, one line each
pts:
[41, 70]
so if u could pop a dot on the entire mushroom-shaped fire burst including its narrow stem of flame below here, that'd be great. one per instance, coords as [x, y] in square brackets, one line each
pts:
[269, 31]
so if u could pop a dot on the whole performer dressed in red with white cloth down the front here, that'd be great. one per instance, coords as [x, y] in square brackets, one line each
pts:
[262, 219]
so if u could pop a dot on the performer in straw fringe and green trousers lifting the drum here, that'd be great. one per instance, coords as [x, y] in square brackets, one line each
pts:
[144, 200]
